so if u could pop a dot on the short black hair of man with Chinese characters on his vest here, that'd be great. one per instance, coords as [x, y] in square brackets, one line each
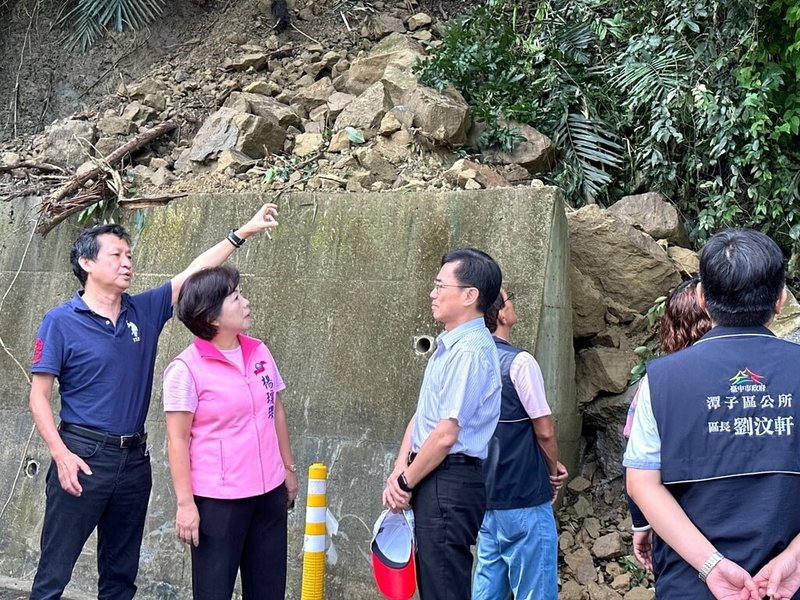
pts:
[742, 276]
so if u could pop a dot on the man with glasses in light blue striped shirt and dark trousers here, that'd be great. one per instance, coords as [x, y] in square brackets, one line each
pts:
[438, 470]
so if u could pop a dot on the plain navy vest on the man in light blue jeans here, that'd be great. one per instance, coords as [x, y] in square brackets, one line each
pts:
[515, 471]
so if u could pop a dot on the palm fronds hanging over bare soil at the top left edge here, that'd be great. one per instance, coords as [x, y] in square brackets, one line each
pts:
[86, 20]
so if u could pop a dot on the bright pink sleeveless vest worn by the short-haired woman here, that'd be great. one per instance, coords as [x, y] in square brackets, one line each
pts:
[234, 447]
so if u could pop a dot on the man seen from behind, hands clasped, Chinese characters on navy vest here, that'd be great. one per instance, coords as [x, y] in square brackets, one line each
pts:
[714, 455]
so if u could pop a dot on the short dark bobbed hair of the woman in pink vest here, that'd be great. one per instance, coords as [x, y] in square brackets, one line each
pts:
[201, 298]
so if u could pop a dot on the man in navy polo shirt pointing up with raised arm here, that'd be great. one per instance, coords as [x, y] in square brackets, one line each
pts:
[101, 345]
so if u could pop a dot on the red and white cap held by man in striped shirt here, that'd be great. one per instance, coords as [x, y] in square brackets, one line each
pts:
[393, 555]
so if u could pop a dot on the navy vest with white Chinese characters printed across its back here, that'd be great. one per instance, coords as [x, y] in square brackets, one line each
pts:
[727, 411]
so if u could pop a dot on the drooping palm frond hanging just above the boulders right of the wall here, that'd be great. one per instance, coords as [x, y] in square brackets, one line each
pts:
[589, 151]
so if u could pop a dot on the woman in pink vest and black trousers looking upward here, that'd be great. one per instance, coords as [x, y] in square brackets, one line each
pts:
[229, 450]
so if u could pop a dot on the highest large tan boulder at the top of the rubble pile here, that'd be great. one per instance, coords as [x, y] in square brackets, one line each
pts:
[396, 51]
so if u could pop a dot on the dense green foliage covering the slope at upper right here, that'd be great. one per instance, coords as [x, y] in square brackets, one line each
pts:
[696, 99]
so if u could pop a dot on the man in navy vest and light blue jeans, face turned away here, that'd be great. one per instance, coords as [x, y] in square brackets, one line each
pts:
[518, 543]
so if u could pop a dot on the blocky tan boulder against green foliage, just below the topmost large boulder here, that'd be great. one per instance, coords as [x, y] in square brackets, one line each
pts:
[442, 115]
